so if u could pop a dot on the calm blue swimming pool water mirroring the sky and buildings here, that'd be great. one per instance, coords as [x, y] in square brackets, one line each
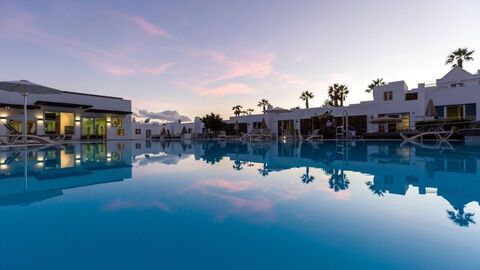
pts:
[222, 205]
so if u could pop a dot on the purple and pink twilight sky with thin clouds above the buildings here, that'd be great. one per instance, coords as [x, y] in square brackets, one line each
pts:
[190, 58]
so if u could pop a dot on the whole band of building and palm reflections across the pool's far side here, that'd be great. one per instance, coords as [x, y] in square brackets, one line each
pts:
[452, 173]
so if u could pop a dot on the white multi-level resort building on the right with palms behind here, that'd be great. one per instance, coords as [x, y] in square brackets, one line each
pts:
[455, 96]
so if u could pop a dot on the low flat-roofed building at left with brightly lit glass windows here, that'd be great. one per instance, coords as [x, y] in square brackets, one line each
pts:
[75, 115]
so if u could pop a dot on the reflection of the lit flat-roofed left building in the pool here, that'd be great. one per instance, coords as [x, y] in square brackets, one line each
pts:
[49, 171]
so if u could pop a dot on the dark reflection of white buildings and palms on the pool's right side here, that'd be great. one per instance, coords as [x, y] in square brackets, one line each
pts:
[454, 175]
